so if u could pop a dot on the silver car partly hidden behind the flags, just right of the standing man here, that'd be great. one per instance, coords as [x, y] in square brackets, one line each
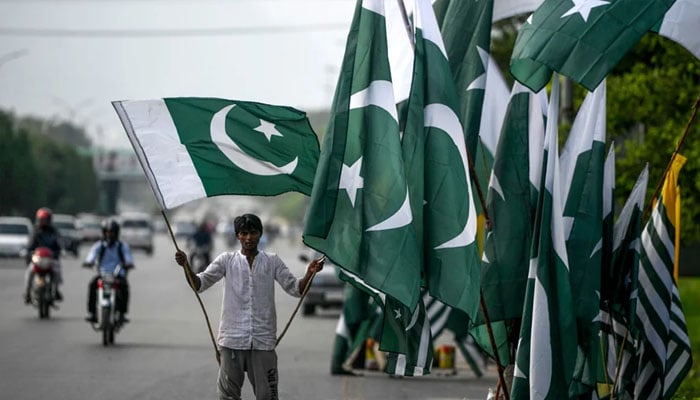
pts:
[327, 290]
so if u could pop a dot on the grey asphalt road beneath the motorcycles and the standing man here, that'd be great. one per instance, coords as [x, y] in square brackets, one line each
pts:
[165, 351]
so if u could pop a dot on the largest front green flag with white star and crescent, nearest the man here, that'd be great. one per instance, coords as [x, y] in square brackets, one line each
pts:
[360, 214]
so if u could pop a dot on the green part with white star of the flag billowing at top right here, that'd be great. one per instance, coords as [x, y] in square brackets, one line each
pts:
[582, 39]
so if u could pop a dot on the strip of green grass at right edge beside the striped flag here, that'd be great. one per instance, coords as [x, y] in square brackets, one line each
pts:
[690, 298]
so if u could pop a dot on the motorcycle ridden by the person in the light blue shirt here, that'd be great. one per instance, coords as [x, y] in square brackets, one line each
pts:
[109, 319]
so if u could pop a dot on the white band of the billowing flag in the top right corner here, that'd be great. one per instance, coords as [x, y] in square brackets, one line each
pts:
[680, 23]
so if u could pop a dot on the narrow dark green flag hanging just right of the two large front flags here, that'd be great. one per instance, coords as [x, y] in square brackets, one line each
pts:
[511, 205]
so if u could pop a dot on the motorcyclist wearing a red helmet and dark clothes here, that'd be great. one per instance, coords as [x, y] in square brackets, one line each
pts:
[45, 235]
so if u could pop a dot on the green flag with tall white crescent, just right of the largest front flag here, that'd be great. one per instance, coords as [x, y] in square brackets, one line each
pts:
[437, 167]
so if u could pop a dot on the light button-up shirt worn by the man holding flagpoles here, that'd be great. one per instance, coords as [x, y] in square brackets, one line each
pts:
[248, 315]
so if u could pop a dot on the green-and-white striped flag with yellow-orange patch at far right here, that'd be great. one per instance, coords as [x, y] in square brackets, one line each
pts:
[664, 347]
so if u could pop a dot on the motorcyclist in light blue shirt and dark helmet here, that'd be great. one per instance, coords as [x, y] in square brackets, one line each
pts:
[107, 254]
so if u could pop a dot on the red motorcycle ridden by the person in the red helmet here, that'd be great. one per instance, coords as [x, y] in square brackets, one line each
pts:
[42, 292]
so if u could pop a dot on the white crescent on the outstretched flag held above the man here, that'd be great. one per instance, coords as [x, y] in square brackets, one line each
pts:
[239, 157]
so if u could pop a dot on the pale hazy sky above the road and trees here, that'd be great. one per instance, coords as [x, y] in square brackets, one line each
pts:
[68, 59]
